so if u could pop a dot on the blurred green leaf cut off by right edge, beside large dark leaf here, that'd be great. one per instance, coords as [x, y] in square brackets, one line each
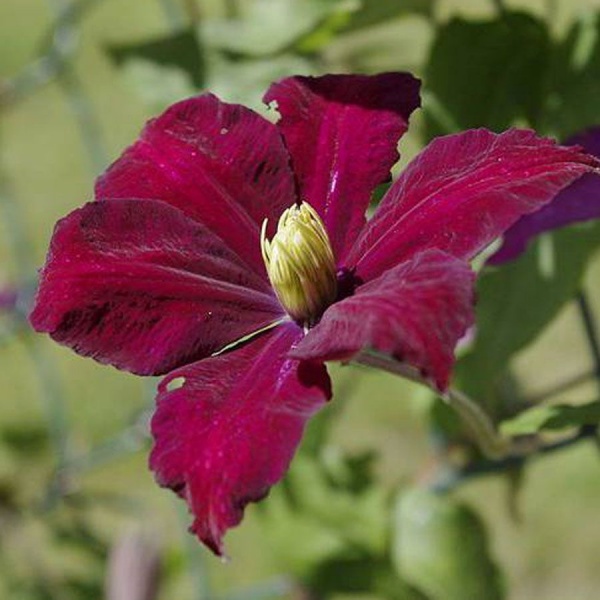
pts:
[574, 80]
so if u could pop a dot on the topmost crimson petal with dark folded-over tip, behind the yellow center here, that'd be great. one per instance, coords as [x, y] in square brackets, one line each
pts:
[342, 132]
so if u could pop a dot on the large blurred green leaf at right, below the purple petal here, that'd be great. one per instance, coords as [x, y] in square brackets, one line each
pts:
[519, 299]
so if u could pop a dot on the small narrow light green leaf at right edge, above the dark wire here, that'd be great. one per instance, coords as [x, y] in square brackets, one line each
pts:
[557, 417]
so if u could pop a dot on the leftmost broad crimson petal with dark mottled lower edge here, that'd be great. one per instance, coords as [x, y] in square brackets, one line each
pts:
[137, 284]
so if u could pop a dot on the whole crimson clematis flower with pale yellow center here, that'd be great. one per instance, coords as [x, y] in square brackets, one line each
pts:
[233, 255]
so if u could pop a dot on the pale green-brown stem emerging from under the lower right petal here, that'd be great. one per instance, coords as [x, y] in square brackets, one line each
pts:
[491, 443]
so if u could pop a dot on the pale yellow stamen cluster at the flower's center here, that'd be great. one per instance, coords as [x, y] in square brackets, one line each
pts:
[300, 263]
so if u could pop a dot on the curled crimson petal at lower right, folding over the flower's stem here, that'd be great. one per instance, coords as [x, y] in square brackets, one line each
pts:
[416, 312]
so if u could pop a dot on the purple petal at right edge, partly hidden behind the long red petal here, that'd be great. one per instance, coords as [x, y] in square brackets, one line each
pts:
[578, 202]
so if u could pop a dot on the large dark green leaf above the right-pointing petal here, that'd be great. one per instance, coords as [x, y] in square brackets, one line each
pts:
[486, 73]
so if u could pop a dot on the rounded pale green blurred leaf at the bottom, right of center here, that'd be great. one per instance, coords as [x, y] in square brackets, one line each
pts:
[441, 548]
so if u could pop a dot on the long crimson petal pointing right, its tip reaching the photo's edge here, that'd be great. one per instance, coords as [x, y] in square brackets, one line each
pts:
[462, 192]
